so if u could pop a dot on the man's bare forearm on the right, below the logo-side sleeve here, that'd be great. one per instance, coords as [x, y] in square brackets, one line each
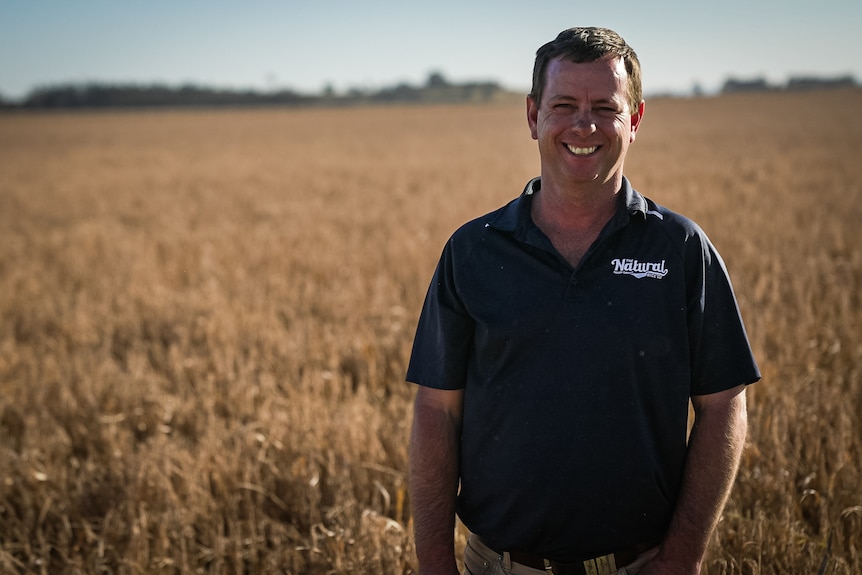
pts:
[714, 451]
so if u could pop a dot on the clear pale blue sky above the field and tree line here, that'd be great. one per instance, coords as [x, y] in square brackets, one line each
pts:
[306, 46]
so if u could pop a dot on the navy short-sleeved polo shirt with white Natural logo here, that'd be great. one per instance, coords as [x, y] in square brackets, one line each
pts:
[577, 381]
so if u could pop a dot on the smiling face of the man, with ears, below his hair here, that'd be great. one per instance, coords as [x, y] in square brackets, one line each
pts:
[584, 123]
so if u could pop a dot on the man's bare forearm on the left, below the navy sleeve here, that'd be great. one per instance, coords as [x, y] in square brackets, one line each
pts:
[434, 474]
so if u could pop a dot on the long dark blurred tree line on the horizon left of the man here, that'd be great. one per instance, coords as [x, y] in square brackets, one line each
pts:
[95, 95]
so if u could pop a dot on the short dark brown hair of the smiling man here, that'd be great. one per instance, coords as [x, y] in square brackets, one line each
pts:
[581, 45]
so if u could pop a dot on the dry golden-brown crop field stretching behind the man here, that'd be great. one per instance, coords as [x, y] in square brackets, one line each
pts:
[205, 318]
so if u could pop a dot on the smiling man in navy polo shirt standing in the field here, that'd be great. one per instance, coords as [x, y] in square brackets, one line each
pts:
[560, 343]
